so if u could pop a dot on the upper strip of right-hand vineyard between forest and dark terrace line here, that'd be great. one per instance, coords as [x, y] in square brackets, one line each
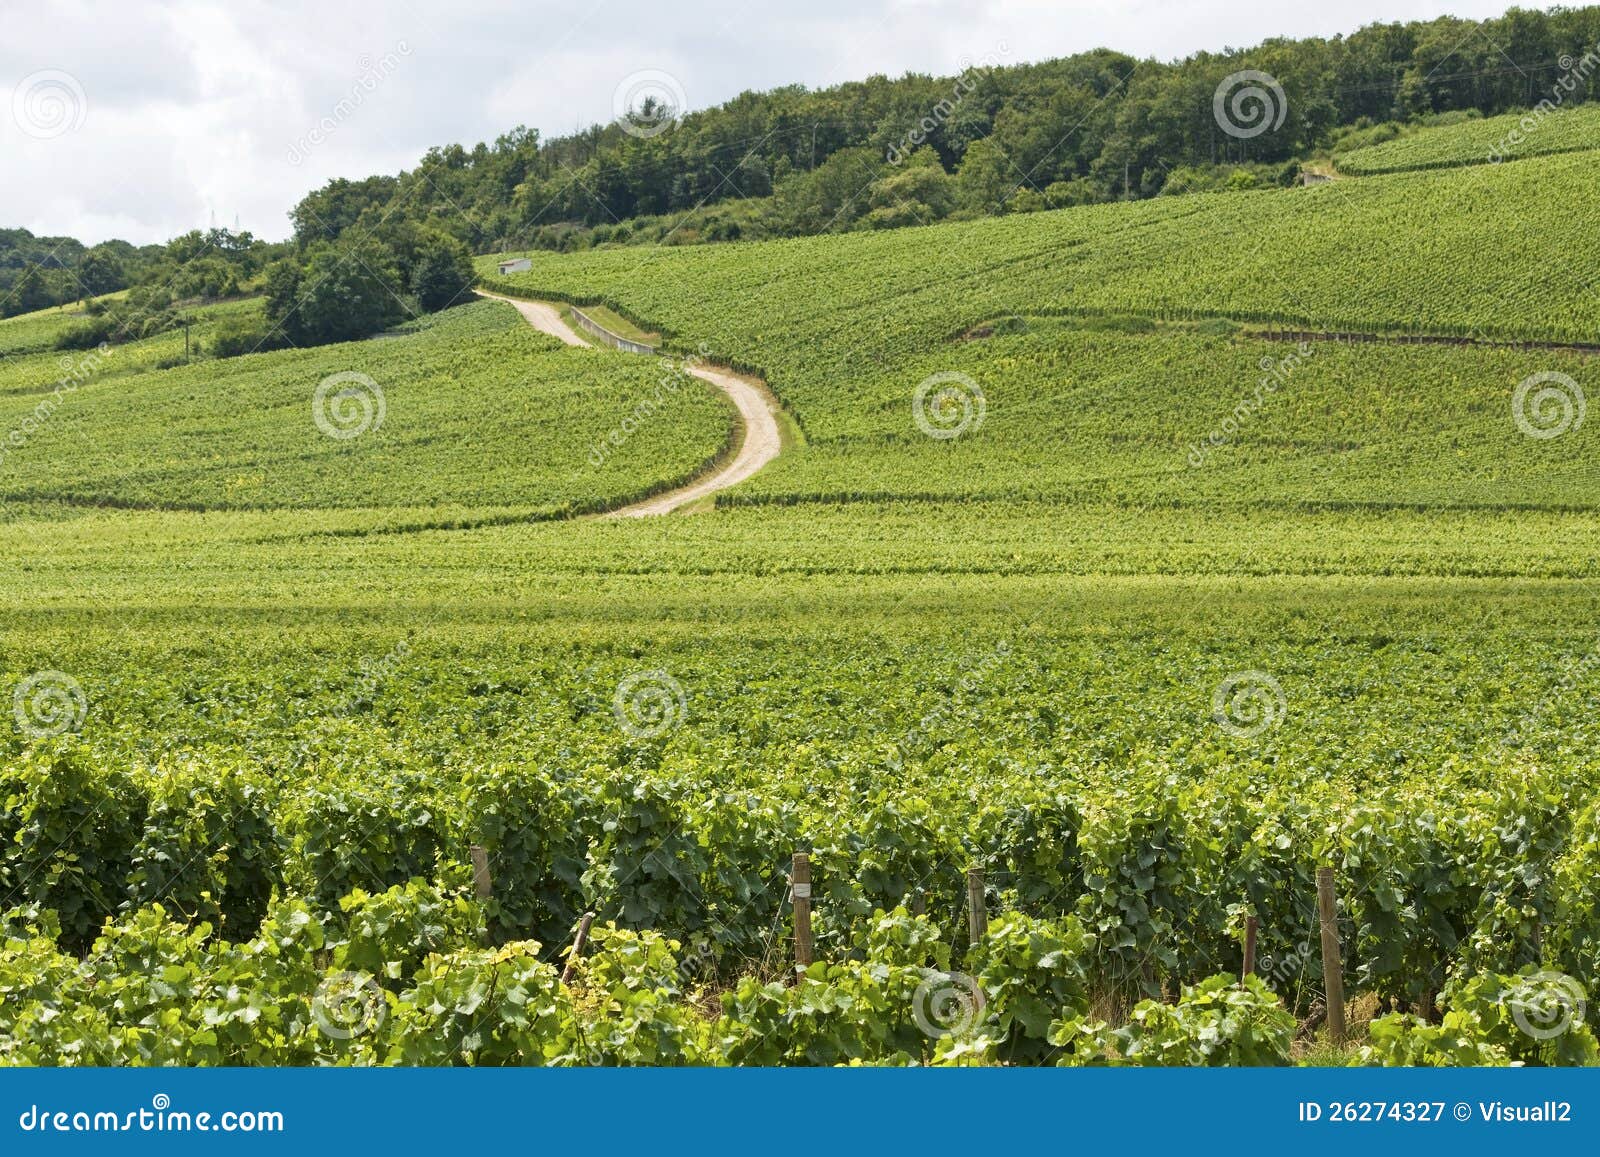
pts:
[1351, 255]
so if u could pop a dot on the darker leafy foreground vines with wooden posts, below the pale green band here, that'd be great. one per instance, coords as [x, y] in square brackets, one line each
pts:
[674, 819]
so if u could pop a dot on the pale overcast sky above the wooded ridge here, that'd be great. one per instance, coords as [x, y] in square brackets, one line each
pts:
[143, 119]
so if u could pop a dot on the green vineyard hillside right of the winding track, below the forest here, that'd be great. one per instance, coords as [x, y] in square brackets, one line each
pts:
[847, 329]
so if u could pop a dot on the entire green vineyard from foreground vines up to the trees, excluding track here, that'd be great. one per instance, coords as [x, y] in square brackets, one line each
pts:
[1084, 623]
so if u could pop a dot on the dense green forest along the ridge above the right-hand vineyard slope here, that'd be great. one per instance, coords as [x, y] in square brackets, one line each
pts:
[998, 138]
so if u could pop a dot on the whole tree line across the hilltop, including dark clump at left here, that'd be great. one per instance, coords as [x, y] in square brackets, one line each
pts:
[873, 154]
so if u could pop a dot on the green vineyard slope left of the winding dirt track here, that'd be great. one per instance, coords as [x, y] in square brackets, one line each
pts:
[479, 414]
